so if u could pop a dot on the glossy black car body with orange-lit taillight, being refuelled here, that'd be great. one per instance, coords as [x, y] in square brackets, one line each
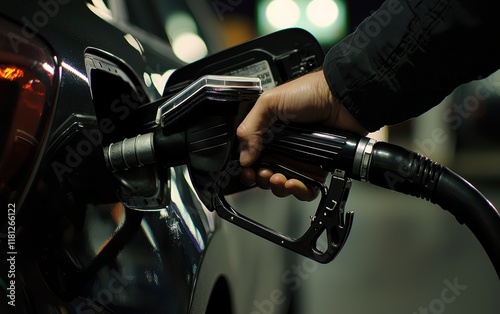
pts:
[75, 247]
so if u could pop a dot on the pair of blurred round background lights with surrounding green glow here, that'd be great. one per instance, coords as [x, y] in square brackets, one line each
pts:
[327, 20]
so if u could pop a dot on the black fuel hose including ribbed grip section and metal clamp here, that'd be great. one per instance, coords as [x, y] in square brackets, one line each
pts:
[396, 168]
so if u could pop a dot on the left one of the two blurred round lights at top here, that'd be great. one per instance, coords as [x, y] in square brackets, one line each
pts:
[283, 13]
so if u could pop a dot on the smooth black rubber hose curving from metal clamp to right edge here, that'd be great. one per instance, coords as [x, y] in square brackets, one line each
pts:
[398, 169]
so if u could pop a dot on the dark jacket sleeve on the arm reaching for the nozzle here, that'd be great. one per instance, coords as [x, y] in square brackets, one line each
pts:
[409, 55]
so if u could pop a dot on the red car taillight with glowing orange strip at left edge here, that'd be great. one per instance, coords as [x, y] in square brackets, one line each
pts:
[27, 74]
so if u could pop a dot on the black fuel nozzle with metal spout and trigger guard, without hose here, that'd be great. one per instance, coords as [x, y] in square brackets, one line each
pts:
[198, 128]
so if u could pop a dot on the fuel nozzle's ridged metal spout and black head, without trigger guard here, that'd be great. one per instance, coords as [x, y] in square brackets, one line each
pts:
[196, 124]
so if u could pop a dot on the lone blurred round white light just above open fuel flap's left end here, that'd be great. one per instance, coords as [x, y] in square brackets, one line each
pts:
[189, 47]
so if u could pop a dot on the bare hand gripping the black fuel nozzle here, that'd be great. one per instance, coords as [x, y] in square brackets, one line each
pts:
[307, 99]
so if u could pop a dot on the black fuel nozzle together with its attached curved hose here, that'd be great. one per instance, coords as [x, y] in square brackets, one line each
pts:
[198, 128]
